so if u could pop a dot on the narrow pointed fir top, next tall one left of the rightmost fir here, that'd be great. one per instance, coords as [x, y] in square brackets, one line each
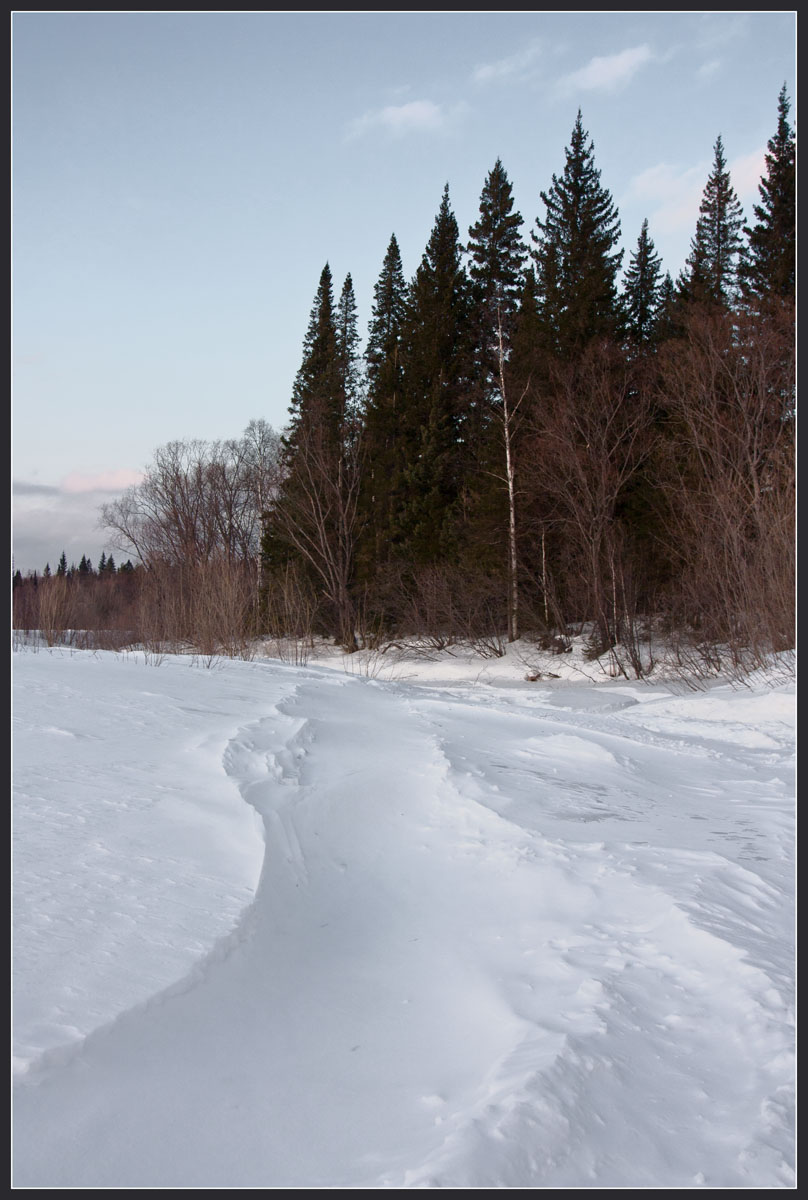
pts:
[710, 275]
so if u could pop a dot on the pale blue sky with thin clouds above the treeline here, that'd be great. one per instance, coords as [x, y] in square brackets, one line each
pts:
[181, 181]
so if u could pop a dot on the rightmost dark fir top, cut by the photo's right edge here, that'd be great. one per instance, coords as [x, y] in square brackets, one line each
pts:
[769, 269]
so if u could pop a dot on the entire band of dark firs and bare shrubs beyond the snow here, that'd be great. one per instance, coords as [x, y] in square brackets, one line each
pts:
[537, 439]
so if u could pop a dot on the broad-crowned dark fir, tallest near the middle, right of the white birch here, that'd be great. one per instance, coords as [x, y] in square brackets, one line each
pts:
[574, 251]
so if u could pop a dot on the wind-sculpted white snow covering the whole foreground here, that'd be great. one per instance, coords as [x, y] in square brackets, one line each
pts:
[400, 923]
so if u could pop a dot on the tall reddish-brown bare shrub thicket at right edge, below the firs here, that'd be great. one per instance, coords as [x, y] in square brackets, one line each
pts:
[731, 483]
